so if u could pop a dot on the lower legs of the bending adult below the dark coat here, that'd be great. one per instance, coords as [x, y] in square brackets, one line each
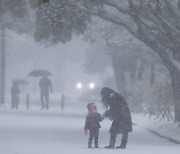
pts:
[114, 136]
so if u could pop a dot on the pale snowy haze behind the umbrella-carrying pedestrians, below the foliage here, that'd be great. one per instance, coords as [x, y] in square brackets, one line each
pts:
[64, 61]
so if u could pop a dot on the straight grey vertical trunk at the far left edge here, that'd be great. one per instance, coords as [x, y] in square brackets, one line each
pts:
[2, 67]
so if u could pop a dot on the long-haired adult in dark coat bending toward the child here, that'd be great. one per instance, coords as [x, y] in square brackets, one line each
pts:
[118, 111]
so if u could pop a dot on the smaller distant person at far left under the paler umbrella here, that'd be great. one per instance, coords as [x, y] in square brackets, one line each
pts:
[15, 92]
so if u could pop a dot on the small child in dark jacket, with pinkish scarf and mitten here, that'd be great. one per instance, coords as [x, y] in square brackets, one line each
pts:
[92, 124]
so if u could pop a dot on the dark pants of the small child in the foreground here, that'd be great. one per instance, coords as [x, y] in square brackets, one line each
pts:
[94, 133]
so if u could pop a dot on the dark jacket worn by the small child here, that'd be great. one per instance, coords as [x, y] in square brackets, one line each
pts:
[93, 120]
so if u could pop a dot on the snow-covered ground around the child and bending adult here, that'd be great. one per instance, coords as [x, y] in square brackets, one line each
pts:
[61, 132]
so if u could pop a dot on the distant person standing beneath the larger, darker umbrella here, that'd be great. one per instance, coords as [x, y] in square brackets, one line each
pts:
[45, 87]
